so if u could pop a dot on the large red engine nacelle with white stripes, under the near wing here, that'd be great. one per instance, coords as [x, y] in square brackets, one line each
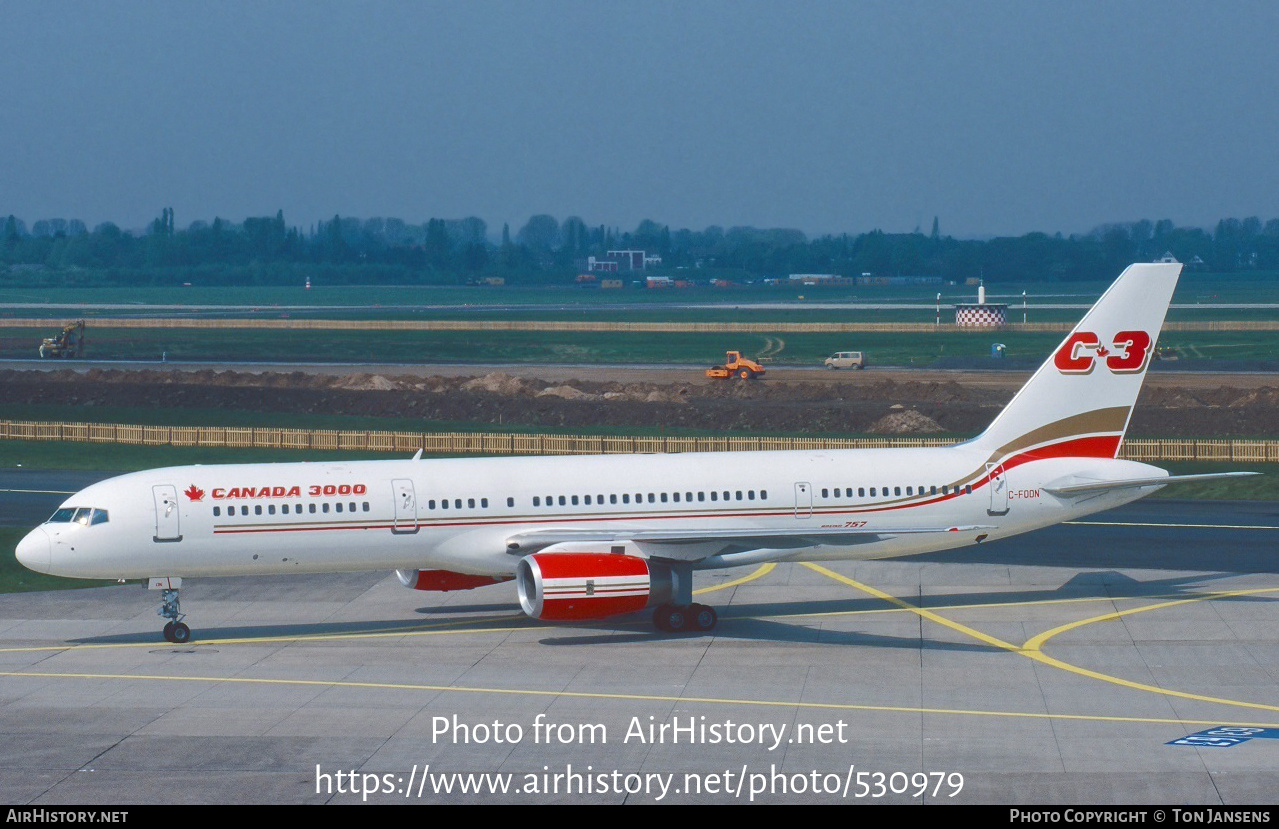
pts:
[570, 587]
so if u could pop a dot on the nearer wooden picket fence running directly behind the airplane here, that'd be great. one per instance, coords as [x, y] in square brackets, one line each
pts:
[1240, 451]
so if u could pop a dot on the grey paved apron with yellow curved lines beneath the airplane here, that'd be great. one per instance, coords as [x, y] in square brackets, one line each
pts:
[1060, 667]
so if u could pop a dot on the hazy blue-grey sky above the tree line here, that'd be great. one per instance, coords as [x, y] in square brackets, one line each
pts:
[1000, 118]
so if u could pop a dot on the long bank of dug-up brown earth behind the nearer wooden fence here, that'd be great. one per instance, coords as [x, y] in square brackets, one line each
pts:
[773, 406]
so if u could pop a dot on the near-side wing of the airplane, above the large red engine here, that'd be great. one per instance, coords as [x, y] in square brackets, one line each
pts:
[694, 546]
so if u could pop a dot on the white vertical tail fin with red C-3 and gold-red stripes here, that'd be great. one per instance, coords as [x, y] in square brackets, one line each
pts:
[1080, 401]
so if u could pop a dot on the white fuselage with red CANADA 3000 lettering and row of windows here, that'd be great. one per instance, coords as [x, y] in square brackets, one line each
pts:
[460, 515]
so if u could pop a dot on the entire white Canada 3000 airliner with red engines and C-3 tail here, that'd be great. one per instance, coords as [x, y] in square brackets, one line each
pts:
[597, 537]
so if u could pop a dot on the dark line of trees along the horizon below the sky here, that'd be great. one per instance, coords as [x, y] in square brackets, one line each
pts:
[345, 250]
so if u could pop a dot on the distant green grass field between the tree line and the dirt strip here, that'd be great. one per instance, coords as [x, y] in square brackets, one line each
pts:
[627, 305]
